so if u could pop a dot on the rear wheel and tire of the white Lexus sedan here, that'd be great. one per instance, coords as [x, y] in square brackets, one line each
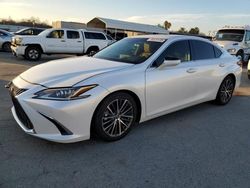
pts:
[225, 91]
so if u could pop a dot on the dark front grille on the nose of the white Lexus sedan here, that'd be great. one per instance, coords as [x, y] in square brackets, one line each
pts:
[22, 116]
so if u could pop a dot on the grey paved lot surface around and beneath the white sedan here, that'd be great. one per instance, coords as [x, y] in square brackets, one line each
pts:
[202, 146]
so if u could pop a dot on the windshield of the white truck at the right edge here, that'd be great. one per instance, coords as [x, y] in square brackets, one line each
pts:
[230, 35]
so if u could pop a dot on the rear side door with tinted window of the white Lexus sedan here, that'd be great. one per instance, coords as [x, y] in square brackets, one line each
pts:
[208, 65]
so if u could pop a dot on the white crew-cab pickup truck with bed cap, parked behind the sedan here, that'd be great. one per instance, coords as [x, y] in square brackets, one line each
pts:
[59, 41]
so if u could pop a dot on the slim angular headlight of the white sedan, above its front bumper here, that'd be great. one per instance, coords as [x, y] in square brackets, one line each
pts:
[64, 93]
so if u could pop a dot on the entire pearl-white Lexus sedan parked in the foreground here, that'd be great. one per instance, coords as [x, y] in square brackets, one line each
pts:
[131, 81]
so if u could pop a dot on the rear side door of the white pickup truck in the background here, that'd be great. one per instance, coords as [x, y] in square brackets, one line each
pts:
[74, 41]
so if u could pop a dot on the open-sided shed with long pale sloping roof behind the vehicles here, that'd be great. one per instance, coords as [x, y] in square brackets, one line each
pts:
[119, 29]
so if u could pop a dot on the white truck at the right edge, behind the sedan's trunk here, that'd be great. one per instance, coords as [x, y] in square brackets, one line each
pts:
[236, 40]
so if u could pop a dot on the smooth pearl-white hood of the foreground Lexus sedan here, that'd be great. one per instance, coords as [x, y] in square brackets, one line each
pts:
[67, 72]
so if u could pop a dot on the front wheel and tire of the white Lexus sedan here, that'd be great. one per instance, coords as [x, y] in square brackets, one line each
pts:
[115, 116]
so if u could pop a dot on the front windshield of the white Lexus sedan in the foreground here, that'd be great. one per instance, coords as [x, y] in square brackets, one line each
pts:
[131, 50]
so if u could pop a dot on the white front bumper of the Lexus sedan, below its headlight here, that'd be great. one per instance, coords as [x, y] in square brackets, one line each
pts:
[58, 121]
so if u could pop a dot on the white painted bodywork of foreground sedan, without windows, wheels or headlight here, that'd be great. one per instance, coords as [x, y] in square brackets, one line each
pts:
[160, 90]
